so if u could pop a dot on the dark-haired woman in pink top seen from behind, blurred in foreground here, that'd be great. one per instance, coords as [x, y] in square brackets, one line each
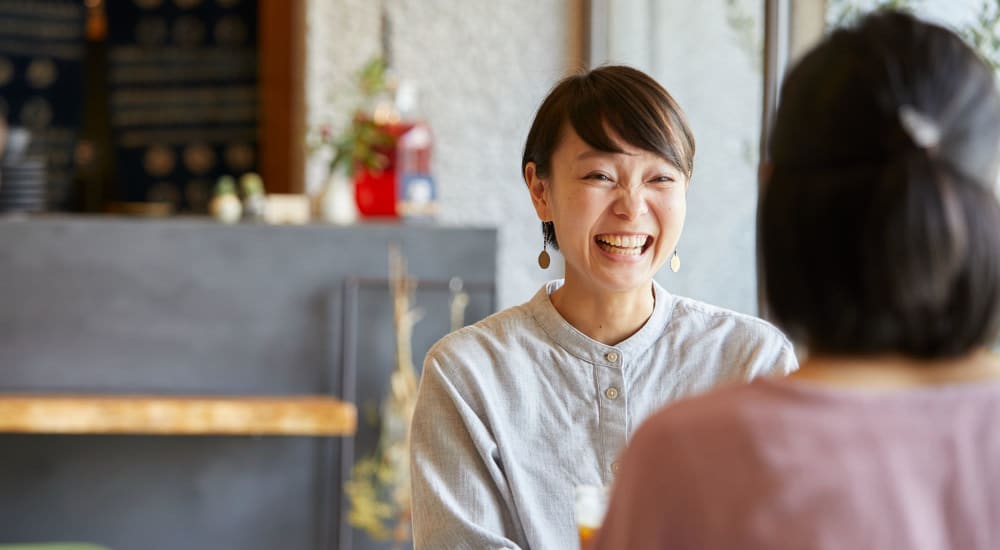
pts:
[879, 237]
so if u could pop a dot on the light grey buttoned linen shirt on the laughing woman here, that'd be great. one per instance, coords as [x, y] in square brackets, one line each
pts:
[517, 410]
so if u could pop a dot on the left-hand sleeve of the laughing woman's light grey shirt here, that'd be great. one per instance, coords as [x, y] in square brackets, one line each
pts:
[461, 499]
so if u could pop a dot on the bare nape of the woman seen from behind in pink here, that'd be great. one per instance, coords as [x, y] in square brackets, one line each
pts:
[897, 371]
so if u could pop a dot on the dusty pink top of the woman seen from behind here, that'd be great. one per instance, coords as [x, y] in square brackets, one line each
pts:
[785, 464]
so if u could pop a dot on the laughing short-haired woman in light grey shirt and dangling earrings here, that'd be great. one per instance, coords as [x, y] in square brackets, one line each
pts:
[517, 410]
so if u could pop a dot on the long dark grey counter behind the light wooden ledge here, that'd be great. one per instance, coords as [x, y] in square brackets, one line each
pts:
[187, 306]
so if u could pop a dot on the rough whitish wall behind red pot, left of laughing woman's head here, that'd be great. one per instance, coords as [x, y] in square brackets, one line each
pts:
[483, 68]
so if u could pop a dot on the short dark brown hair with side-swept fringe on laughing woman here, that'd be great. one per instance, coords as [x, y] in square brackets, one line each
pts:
[626, 101]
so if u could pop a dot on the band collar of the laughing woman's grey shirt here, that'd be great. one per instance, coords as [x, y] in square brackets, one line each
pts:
[579, 344]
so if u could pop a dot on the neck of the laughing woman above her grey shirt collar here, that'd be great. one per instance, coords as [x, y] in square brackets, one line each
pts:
[608, 317]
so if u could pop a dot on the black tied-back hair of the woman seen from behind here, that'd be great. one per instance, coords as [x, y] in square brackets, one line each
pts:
[879, 228]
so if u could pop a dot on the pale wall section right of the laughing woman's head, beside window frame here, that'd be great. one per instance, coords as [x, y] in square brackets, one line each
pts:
[712, 71]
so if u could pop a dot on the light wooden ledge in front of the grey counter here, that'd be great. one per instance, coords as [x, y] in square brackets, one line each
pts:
[176, 415]
